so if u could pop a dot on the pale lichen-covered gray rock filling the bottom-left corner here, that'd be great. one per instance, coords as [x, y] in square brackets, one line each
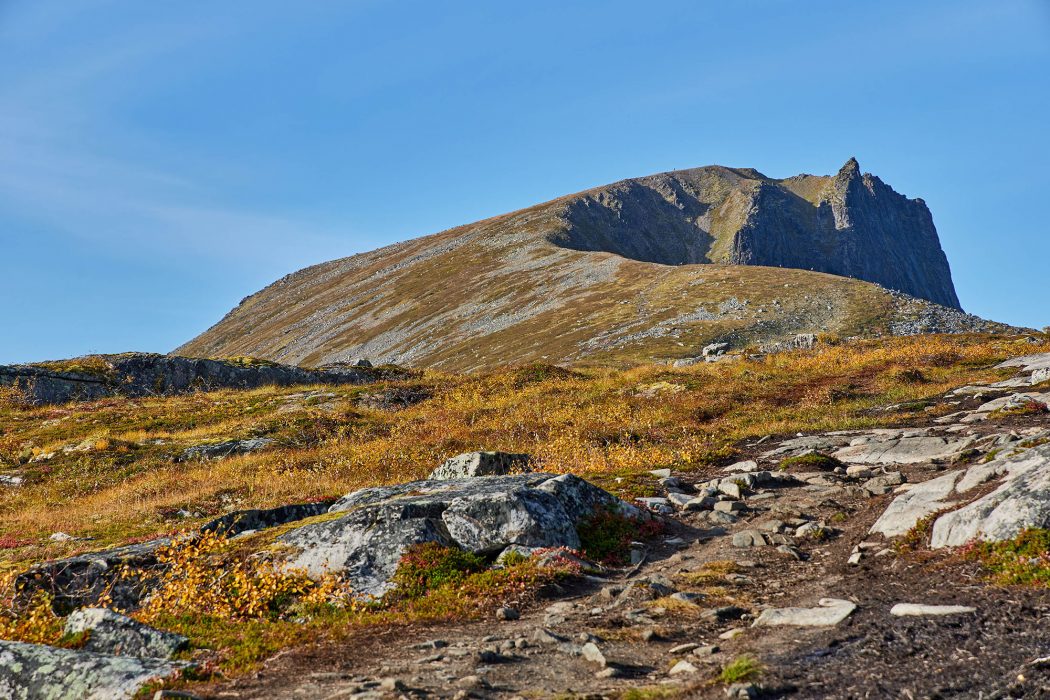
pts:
[35, 672]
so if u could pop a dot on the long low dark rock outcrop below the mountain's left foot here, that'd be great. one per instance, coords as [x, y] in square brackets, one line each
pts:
[144, 374]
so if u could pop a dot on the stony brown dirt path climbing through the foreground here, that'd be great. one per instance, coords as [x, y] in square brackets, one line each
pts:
[640, 620]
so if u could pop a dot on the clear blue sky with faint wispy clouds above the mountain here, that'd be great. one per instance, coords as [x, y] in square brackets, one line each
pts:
[161, 161]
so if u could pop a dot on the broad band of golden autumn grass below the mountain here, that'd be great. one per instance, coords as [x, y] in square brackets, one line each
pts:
[602, 423]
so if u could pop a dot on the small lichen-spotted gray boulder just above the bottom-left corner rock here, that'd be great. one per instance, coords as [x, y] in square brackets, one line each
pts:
[112, 633]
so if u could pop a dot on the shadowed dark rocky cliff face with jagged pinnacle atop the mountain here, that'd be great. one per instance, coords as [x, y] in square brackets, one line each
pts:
[852, 225]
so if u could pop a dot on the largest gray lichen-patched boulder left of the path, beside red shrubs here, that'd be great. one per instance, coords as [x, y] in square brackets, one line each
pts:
[481, 515]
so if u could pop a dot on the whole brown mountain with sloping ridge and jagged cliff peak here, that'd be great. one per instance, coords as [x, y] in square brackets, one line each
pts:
[649, 269]
